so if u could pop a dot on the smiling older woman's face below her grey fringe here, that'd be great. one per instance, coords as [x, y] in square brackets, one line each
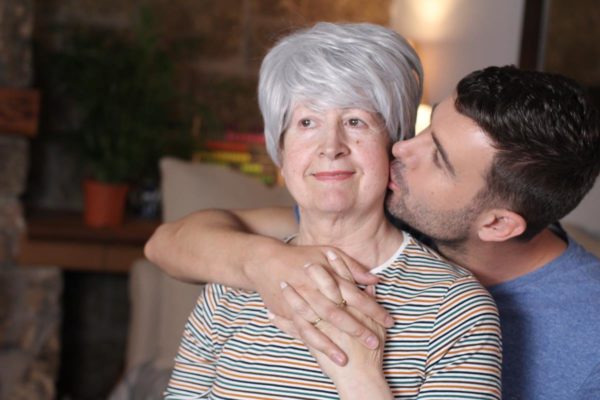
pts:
[336, 160]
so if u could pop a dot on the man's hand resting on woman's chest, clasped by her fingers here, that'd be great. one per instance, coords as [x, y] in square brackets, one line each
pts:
[320, 280]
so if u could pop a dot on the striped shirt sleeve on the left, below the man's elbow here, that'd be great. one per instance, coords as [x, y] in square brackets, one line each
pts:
[194, 371]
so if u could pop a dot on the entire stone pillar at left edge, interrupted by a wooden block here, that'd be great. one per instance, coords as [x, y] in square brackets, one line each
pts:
[29, 298]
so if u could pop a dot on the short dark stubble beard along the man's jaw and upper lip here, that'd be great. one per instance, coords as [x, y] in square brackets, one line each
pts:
[448, 229]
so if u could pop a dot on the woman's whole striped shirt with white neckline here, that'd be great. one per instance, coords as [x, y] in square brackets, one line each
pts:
[445, 343]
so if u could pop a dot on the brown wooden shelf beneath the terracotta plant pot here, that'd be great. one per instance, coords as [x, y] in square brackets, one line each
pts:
[61, 239]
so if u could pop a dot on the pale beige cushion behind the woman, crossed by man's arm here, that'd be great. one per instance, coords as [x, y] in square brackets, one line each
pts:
[187, 187]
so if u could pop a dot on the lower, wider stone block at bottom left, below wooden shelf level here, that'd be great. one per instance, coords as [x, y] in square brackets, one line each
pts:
[30, 314]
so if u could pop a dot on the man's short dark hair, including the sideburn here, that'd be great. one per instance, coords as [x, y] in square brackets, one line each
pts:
[547, 135]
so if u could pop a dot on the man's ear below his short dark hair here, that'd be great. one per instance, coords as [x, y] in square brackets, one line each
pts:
[499, 225]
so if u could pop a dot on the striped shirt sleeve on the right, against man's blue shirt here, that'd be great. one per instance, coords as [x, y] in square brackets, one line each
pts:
[465, 349]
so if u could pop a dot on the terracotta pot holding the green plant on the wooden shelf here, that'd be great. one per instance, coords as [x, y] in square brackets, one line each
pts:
[104, 203]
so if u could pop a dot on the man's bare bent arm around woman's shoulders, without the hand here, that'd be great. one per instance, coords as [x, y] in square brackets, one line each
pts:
[219, 245]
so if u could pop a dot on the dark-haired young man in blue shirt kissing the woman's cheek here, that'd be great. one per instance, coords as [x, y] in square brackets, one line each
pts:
[507, 155]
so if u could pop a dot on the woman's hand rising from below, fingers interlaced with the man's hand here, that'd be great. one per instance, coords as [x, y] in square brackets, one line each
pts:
[362, 377]
